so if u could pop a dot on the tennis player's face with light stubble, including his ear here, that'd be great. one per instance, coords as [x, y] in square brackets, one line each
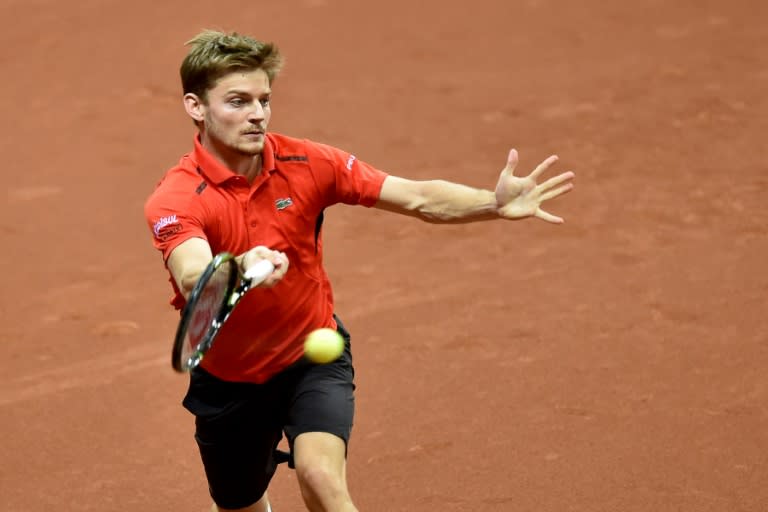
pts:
[236, 114]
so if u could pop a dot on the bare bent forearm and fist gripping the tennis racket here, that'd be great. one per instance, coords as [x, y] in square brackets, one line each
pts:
[188, 261]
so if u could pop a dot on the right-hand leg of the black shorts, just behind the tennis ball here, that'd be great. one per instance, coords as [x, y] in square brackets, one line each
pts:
[324, 399]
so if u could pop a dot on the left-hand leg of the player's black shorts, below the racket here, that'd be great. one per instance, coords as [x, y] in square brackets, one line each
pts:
[237, 428]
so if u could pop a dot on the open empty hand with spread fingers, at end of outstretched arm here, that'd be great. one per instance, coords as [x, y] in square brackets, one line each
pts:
[521, 197]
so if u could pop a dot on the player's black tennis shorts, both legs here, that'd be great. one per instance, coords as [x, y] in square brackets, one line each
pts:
[239, 425]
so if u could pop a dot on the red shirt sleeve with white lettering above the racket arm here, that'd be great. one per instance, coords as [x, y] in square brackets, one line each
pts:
[173, 215]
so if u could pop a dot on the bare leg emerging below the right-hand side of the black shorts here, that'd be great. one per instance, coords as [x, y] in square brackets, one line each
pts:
[320, 460]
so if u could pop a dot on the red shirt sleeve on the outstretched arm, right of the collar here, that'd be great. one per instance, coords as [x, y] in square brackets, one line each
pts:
[343, 178]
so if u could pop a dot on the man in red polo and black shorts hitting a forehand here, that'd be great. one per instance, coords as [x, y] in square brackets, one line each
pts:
[260, 196]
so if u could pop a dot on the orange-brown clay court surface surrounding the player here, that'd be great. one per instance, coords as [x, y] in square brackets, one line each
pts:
[615, 363]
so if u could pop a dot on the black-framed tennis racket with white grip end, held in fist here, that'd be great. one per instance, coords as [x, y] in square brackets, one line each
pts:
[216, 293]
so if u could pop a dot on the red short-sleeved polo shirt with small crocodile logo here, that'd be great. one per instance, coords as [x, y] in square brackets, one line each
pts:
[280, 209]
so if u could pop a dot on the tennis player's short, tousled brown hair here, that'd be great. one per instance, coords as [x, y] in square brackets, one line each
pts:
[214, 54]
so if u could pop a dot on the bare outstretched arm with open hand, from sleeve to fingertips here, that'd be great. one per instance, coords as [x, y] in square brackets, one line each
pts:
[445, 202]
